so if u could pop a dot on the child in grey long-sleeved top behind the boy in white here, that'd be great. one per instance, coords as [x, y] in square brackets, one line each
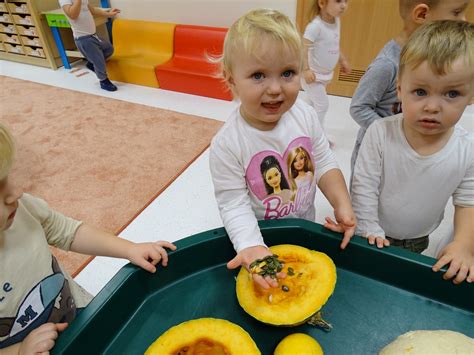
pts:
[376, 94]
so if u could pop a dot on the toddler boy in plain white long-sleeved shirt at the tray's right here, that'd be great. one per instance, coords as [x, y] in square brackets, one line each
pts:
[410, 164]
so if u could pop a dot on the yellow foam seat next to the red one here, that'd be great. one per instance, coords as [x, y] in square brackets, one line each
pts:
[139, 47]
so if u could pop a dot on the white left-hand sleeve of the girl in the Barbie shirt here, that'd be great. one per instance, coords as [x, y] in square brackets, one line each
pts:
[231, 192]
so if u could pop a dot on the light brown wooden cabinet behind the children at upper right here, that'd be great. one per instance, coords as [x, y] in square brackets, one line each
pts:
[365, 28]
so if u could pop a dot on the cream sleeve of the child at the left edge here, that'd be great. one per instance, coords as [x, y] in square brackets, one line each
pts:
[58, 229]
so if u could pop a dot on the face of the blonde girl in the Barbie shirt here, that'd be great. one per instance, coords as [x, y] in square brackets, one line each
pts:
[266, 81]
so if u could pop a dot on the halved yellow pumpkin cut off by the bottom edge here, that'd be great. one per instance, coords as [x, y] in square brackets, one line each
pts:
[209, 336]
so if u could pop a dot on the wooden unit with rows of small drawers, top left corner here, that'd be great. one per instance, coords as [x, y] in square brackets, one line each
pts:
[24, 34]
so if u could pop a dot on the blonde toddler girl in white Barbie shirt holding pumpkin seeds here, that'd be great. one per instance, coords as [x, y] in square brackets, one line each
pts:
[262, 62]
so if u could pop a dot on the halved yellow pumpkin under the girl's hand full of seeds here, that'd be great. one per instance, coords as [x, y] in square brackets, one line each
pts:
[311, 278]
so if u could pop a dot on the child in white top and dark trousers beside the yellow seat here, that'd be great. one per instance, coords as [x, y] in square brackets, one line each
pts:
[95, 49]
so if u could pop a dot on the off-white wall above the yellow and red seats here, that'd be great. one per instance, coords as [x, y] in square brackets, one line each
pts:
[217, 13]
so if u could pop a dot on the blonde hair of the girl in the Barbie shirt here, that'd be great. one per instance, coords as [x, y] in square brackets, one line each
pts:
[247, 32]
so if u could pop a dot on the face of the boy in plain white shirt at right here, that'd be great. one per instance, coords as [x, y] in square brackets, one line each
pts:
[432, 104]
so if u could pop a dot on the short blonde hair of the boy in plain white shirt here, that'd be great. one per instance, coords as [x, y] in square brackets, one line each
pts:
[439, 43]
